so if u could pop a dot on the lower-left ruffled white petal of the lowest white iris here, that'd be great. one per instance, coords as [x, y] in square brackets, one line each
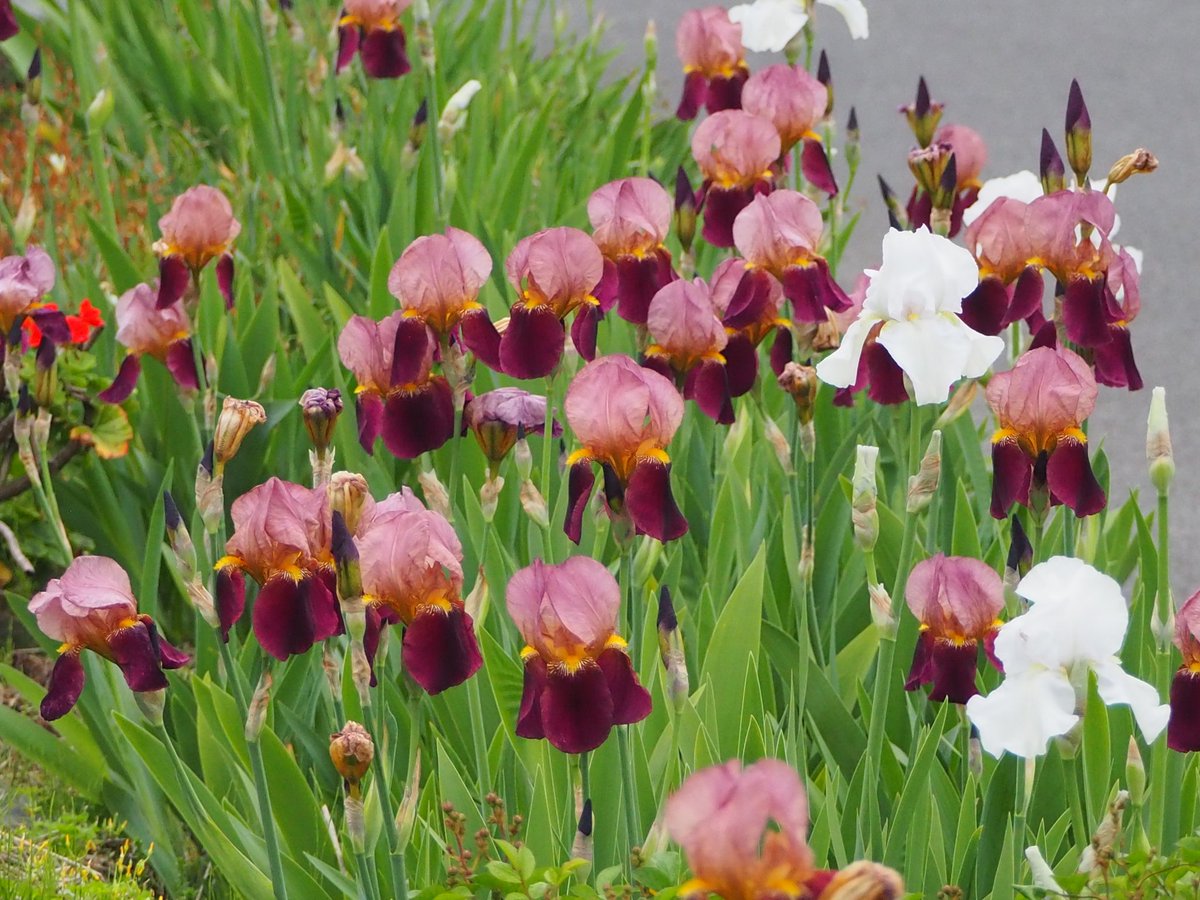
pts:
[1024, 713]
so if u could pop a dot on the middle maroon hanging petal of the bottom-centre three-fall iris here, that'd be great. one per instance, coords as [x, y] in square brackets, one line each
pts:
[577, 709]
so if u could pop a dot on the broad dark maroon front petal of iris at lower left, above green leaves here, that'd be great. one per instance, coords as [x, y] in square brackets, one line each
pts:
[291, 616]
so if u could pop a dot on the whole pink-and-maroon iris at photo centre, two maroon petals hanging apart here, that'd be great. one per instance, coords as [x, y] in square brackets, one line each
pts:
[625, 416]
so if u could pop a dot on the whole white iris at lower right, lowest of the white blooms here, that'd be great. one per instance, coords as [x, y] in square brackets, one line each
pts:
[1077, 622]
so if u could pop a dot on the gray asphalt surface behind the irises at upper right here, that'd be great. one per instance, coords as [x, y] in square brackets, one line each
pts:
[1005, 68]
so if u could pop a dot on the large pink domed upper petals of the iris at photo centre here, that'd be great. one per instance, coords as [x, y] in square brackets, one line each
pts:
[615, 407]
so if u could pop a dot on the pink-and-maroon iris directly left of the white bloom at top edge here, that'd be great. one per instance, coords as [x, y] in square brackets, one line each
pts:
[715, 65]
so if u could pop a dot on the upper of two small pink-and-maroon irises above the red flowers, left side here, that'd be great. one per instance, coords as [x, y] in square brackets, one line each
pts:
[199, 229]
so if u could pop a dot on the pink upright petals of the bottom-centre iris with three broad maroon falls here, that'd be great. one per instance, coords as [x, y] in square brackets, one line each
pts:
[568, 609]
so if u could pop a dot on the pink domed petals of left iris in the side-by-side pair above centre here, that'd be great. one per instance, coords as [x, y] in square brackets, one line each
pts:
[440, 275]
